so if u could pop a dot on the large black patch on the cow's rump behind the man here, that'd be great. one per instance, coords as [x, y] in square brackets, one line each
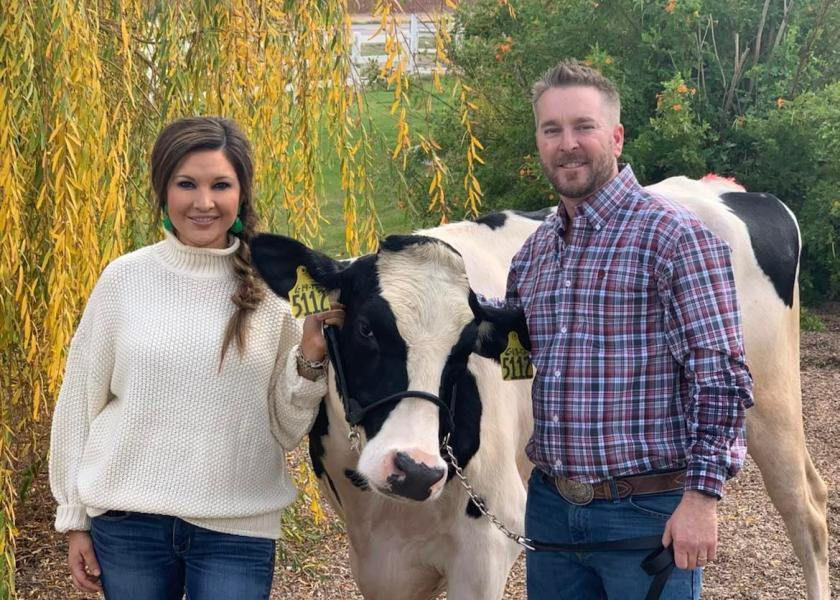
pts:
[773, 236]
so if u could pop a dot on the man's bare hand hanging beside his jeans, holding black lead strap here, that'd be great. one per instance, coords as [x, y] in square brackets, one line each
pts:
[693, 530]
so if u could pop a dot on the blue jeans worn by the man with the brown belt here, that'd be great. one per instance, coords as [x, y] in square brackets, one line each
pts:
[597, 575]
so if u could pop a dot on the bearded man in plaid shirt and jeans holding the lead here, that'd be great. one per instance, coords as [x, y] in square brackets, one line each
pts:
[641, 384]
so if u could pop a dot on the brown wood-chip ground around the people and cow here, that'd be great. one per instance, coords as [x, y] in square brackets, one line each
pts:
[755, 560]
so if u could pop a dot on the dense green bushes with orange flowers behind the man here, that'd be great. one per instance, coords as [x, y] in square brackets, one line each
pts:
[743, 88]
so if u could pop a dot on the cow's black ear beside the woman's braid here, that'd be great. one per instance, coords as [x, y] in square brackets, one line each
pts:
[277, 258]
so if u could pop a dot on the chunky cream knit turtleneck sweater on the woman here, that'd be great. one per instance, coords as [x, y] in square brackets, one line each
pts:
[146, 421]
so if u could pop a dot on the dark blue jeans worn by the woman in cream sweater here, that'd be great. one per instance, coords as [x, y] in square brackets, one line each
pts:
[154, 557]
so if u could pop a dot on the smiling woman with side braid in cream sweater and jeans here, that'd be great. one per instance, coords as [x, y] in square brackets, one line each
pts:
[184, 384]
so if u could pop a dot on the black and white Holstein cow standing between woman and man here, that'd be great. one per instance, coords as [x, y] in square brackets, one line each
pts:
[412, 323]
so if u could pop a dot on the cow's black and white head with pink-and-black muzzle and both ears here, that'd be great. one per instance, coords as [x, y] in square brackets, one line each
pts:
[411, 323]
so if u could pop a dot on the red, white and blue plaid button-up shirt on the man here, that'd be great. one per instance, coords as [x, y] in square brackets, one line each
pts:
[636, 341]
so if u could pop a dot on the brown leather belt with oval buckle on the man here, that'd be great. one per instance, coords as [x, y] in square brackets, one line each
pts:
[581, 494]
